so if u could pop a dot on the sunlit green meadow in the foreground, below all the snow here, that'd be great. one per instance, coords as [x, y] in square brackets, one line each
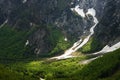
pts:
[104, 68]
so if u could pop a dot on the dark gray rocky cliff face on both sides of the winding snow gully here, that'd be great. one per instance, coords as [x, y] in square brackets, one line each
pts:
[25, 15]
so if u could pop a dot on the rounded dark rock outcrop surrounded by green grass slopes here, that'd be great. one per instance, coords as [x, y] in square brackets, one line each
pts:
[37, 41]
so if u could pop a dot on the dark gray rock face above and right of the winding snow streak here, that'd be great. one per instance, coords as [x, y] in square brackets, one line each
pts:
[108, 14]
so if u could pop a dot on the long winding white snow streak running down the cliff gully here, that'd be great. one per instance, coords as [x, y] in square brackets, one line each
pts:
[77, 45]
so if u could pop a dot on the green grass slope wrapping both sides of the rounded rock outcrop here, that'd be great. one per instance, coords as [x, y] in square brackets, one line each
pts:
[12, 42]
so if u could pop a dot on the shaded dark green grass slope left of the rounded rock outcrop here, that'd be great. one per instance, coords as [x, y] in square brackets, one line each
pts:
[12, 42]
